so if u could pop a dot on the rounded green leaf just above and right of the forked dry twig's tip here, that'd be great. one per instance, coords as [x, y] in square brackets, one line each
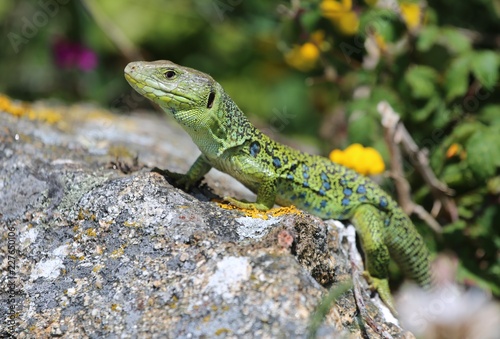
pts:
[422, 81]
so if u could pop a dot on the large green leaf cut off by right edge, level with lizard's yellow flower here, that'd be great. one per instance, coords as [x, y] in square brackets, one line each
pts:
[482, 151]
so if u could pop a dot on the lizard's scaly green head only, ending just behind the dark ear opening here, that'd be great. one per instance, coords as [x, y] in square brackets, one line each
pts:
[189, 95]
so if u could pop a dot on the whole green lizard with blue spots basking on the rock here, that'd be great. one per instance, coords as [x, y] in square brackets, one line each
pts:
[280, 174]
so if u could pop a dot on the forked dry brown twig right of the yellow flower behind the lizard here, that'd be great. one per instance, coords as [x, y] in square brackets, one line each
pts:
[396, 133]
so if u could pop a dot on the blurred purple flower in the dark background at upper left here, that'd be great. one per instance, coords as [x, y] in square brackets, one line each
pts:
[69, 54]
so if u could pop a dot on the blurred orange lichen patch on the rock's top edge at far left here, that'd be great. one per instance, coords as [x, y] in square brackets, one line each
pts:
[24, 109]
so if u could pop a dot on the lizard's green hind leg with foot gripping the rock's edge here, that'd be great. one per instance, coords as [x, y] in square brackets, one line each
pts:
[369, 223]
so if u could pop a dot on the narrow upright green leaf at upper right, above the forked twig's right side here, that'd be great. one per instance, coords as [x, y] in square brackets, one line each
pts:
[456, 79]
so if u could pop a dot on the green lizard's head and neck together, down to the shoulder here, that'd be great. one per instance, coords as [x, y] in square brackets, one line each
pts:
[194, 99]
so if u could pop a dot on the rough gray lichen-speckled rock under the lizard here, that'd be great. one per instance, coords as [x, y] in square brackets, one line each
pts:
[105, 249]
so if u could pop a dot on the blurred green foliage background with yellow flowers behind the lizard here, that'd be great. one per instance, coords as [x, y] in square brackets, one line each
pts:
[305, 68]
